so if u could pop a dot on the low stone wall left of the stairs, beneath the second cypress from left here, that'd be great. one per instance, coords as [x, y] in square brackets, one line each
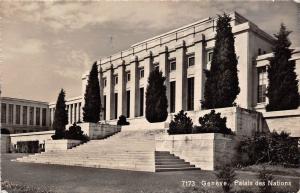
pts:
[98, 131]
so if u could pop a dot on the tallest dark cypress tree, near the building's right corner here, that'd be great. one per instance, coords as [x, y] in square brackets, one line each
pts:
[222, 84]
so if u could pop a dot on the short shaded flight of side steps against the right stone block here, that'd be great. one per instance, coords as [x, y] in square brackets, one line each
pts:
[165, 161]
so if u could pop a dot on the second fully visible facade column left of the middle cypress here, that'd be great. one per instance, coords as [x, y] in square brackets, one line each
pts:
[121, 90]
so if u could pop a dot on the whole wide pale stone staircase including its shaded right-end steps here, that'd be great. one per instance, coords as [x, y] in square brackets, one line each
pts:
[126, 150]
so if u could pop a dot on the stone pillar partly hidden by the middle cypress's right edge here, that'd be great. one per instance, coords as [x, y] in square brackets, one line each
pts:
[163, 66]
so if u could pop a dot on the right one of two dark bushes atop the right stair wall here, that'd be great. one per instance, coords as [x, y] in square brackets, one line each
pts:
[212, 123]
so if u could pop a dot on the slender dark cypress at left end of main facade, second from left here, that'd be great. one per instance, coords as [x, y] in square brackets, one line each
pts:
[92, 106]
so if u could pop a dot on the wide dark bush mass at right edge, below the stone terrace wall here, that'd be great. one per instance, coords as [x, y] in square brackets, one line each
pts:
[274, 148]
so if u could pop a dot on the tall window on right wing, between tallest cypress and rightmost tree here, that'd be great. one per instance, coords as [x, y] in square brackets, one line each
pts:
[262, 84]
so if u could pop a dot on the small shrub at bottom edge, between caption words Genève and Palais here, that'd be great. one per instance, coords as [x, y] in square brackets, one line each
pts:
[227, 176]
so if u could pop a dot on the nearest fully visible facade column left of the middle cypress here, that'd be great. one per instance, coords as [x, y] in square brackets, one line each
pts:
[134, 87]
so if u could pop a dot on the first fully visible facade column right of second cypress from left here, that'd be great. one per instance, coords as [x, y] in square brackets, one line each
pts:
[109, 95]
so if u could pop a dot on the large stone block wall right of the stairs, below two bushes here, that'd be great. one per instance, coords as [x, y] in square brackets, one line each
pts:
[207, 151]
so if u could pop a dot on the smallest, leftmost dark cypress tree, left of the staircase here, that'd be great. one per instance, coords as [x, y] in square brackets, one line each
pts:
[60, 117]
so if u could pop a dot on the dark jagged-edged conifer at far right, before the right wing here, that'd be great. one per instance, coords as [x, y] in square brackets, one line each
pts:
[283, 84]
